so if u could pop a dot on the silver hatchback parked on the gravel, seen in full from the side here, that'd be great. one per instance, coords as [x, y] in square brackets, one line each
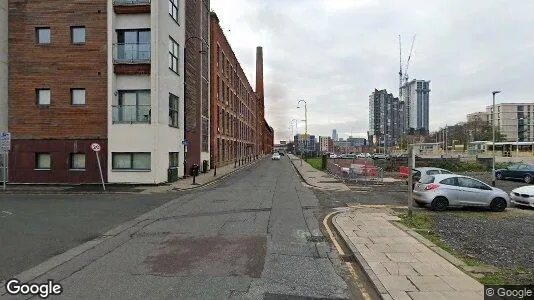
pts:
[443, 190]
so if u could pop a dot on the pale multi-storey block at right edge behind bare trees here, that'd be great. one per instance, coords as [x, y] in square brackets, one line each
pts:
[515, 120]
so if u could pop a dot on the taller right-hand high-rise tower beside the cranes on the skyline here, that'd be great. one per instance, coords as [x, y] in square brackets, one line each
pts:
[415, 95]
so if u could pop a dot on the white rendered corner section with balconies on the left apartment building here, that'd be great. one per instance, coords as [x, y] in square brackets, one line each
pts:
[145, 91]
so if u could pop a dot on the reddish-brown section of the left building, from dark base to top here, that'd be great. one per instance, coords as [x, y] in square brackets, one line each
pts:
[57, 89]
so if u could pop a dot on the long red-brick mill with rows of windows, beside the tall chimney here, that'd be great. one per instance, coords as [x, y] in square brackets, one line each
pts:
[235, 119]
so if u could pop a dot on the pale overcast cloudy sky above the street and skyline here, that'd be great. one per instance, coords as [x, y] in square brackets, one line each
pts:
[334, 53]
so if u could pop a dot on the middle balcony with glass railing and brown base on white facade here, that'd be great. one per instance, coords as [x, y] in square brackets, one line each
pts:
[131, 59]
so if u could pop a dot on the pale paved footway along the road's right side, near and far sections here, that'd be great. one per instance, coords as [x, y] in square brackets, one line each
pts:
[399, 263]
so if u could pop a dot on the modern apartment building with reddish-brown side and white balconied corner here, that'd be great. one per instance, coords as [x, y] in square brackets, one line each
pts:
[102, 71]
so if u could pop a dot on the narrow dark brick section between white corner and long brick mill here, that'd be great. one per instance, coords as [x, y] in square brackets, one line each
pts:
[197, 91]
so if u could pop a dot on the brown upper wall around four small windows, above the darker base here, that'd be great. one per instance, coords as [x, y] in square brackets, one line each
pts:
[58, 66]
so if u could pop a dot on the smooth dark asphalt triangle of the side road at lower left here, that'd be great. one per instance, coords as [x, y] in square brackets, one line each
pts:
[34, 228]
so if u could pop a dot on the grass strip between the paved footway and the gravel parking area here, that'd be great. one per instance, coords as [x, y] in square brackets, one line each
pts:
[423, 223]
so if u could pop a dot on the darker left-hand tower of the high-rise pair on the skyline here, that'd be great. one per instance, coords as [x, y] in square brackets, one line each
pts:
[384, 118]
